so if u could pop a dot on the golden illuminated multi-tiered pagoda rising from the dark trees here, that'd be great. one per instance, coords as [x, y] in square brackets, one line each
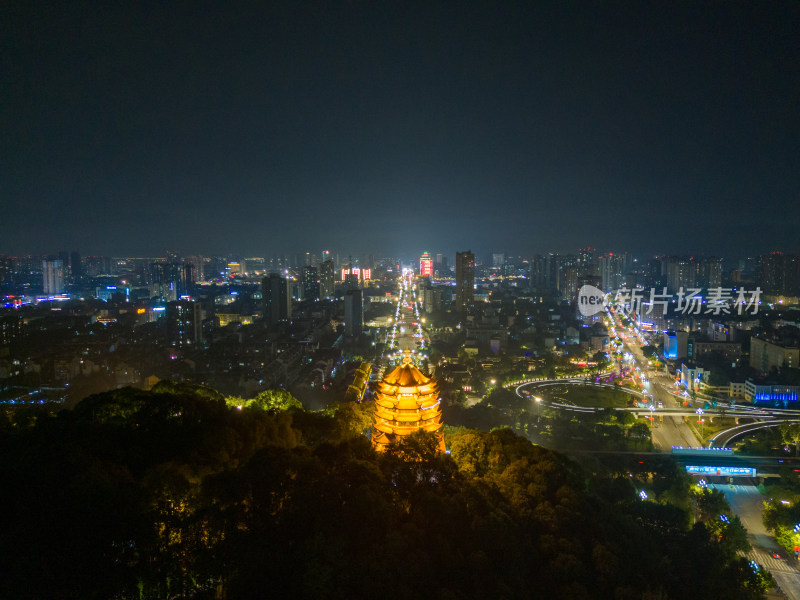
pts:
[406, 401]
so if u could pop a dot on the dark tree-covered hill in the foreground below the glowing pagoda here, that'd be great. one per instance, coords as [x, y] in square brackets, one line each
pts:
[175, 494]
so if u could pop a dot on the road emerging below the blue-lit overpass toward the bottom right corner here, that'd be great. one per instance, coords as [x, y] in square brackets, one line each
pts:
[746, 501]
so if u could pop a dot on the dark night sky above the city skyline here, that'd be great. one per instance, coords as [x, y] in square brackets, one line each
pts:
[398, 127]
